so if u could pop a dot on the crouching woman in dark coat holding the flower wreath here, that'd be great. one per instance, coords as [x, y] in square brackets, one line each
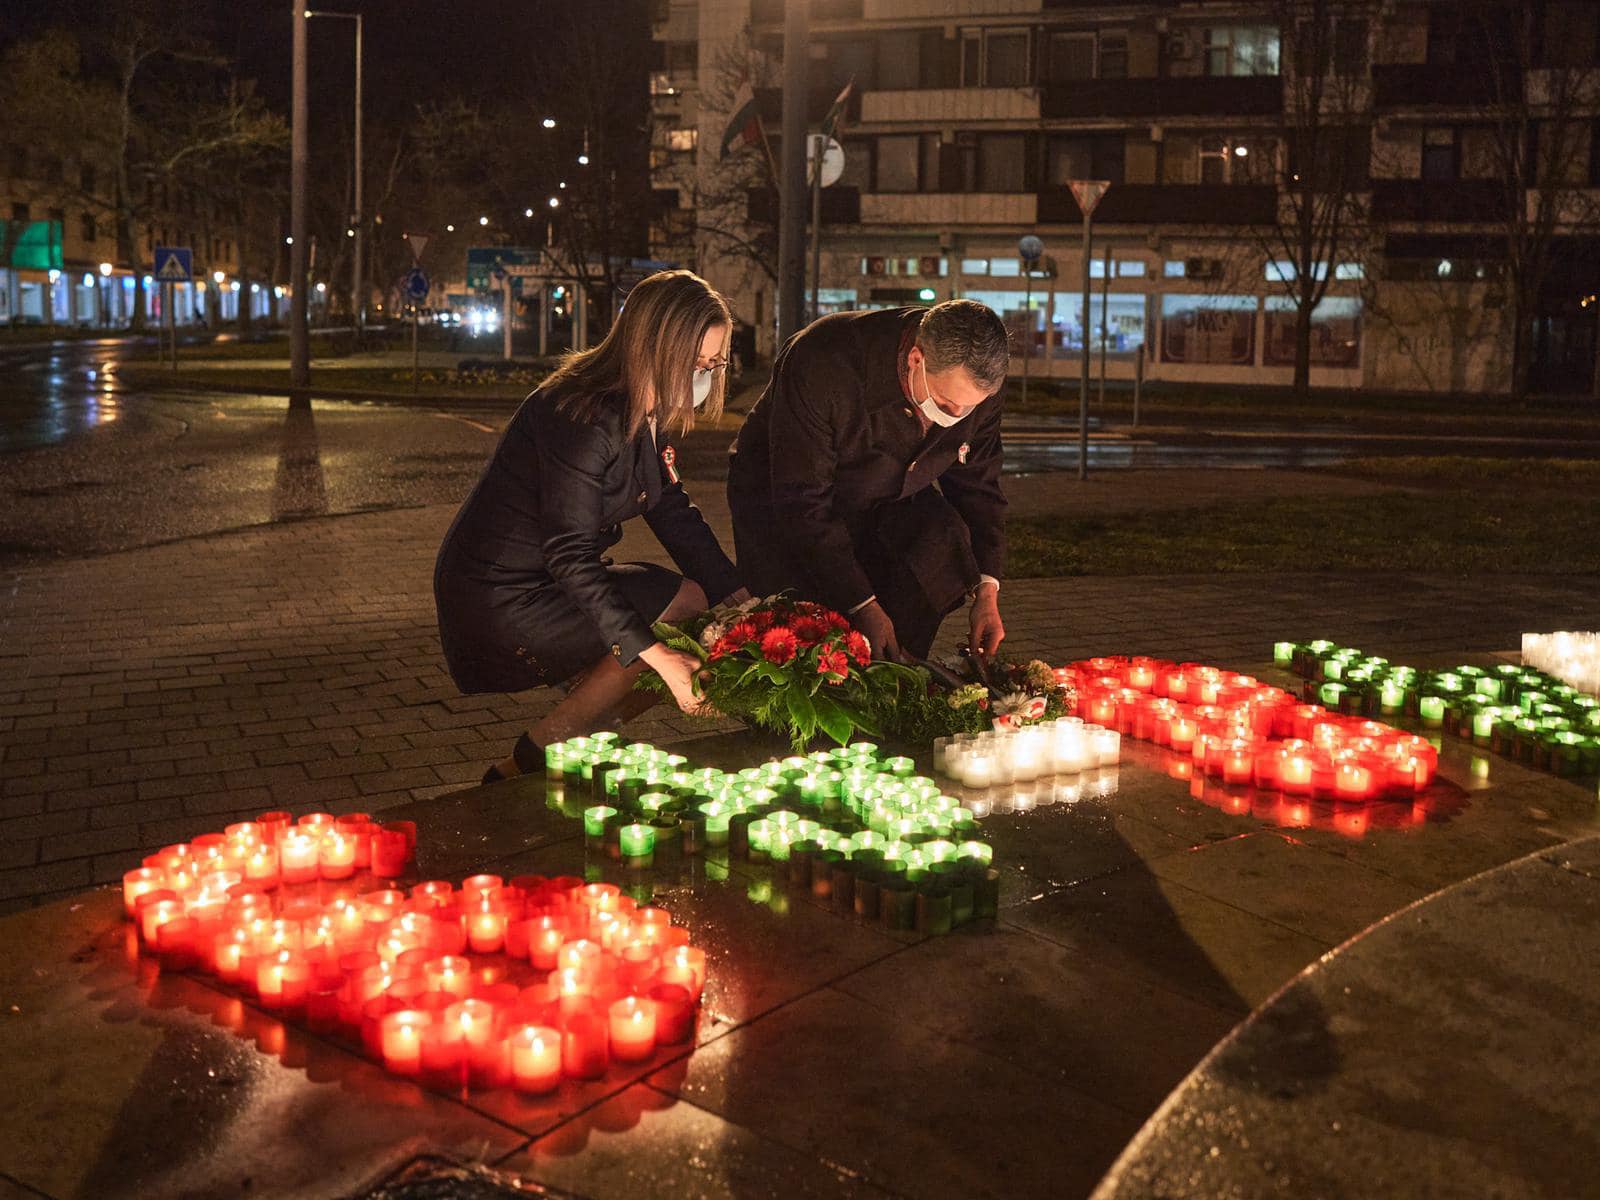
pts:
[526, 596]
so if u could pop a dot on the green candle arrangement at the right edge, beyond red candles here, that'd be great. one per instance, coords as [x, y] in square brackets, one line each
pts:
[1511, 710]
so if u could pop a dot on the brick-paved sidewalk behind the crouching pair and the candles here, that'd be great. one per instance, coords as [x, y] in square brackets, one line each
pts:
[156, 694]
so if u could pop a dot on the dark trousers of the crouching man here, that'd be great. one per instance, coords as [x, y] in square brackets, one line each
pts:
[918, 554]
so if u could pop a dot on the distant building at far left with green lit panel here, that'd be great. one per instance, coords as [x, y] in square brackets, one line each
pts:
[60, 262]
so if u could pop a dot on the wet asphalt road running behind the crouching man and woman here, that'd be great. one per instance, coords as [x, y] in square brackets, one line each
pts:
[89, 466]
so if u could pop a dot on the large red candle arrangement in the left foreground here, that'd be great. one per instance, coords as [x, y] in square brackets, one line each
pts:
[602, 977]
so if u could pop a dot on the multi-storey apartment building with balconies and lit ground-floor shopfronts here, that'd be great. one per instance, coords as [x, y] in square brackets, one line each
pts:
[969, 121]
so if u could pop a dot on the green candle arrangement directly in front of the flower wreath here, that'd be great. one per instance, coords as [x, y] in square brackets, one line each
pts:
[850, 826]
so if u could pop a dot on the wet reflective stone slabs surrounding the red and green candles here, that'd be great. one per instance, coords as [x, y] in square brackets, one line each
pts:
[1014, 1058]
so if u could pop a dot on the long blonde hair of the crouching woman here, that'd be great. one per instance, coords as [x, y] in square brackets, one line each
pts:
[650, 353]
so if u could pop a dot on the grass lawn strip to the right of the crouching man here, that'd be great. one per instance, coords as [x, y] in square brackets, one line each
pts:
[1542, 518]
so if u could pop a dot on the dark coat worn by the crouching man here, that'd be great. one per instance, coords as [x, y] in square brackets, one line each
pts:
[834, 439]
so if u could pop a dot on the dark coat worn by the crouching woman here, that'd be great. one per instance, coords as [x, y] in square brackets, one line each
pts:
[553, 502]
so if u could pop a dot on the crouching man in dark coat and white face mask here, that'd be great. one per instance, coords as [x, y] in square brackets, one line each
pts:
[868, 476]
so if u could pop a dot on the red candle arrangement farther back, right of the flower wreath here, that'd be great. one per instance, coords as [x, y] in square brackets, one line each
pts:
[1239, 730]
